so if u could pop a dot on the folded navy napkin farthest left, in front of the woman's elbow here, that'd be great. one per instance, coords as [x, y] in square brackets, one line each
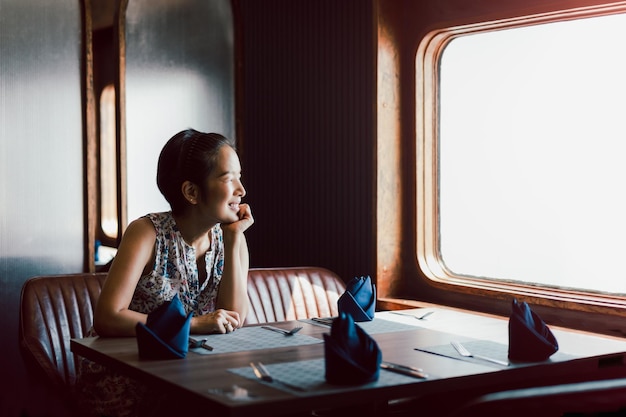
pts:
[166, 332]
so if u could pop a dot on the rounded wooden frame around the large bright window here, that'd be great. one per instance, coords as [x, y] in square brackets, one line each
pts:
[429, 259]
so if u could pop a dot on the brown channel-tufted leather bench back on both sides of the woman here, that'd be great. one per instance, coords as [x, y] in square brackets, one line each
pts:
[57, 308]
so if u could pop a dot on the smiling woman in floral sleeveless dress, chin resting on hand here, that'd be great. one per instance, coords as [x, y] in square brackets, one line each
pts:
[197, 250]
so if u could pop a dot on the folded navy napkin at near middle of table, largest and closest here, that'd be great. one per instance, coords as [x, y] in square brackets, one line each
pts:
[351, 356]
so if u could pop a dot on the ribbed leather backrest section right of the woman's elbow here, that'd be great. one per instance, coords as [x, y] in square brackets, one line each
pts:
[279, 294]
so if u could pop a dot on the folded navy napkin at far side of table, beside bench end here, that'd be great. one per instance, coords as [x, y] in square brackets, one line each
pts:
[359, 299]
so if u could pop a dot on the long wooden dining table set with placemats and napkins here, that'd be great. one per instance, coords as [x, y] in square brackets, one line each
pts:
[222, 381]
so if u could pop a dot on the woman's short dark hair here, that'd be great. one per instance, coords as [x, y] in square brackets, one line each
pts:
[188, 156]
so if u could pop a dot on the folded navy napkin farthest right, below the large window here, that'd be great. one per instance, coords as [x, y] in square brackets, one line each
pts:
[530, 339]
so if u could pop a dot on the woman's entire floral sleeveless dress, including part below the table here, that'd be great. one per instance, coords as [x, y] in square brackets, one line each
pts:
[104, 392]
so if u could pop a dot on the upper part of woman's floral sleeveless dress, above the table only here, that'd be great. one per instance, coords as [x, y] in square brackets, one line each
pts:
[175, 270]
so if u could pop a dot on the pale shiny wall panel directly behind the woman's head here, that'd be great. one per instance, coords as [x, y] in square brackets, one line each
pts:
[179, 74]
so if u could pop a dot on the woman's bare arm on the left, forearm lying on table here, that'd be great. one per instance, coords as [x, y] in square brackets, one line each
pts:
[112, 316]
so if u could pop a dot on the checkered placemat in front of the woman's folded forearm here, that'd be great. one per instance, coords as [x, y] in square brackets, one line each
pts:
[251, 338]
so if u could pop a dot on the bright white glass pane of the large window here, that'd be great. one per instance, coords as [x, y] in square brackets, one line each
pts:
[532, 154]
